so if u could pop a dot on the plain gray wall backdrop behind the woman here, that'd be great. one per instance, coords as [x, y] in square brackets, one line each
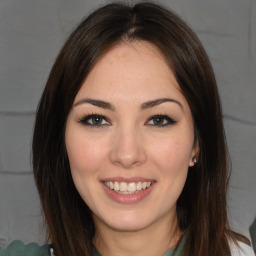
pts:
[31, 34]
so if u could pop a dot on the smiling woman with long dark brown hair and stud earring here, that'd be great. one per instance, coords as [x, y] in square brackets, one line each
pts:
[129, 151]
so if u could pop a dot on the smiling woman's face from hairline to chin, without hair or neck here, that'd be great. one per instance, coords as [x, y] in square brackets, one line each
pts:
[130, 138]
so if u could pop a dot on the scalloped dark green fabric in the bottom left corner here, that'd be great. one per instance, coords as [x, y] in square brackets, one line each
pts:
[18, 248]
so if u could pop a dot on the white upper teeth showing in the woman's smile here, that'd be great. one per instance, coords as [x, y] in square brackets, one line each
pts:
[128, 188]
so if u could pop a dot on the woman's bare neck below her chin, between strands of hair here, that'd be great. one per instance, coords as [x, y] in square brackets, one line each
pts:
[154, 240]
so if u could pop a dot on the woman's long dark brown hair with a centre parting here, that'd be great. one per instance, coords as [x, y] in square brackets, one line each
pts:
[201, 208]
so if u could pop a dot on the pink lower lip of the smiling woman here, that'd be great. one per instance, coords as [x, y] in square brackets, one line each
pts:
[128, 198]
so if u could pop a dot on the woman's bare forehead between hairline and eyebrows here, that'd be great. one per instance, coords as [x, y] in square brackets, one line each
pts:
[131, 70]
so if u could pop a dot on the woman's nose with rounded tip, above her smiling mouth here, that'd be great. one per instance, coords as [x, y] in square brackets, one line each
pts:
[127, 149]
